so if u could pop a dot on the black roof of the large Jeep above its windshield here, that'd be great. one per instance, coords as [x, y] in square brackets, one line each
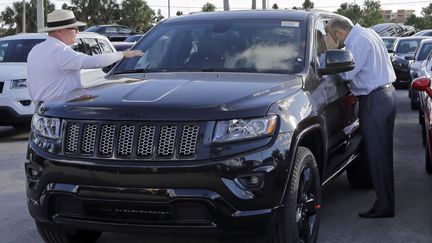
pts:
[298, 15]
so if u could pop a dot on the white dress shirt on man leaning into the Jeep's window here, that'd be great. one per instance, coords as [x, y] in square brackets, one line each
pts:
[373, 67]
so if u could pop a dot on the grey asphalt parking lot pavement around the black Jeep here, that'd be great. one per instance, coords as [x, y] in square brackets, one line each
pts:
[340, 206]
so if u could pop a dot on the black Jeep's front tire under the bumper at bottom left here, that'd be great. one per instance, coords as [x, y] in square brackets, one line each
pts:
[51, 234]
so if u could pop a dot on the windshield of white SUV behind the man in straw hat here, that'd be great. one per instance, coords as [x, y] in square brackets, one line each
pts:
[16, 50]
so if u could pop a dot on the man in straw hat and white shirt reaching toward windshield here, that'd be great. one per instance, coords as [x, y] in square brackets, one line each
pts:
[53, 68]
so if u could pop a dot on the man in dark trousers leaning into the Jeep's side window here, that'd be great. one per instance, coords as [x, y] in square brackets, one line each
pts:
[371, 81]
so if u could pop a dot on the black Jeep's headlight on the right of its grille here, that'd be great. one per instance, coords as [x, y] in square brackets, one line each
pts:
[240, 129]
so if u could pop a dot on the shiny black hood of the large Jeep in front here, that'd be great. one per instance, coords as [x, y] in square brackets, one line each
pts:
[176, 96]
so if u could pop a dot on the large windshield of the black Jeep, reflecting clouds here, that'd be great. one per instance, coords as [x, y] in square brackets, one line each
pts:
[230, 46]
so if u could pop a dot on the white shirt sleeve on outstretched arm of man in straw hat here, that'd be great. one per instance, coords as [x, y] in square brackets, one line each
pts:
[71, 60]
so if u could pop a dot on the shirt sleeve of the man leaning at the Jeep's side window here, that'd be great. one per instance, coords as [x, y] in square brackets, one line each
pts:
[360, 51]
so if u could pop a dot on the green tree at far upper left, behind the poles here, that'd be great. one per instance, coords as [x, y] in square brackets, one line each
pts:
[12, 16]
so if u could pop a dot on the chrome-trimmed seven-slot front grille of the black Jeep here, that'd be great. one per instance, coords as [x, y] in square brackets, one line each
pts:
[131, 141]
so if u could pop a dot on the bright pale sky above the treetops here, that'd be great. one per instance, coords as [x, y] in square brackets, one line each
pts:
[187, 6]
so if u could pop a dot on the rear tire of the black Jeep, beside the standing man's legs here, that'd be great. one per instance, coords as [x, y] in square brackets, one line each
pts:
[358, 172]
